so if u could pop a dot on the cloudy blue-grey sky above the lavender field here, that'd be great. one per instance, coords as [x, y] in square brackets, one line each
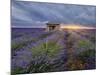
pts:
[36, 14]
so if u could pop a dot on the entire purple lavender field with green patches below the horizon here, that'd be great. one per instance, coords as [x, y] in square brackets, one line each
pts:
[35, 51]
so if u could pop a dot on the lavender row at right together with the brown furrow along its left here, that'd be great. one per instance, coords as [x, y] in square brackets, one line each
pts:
[81, 49]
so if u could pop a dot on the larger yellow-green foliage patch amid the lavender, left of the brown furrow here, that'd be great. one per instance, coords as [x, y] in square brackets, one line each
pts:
[48, 48]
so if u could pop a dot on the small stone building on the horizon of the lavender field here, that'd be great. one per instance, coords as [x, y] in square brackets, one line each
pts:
[52, 26]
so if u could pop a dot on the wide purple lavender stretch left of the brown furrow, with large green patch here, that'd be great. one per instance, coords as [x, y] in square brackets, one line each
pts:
[34, 50]
